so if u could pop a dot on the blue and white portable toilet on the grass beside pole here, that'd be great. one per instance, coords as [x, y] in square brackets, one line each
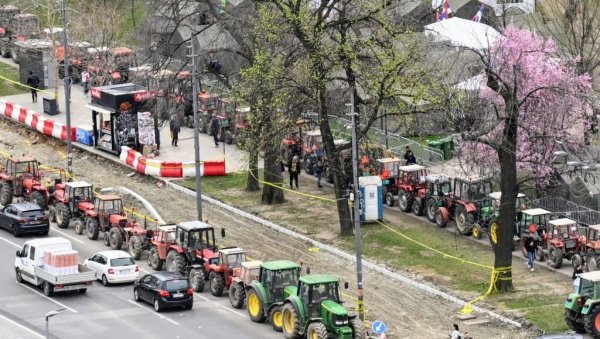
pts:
[371, 198]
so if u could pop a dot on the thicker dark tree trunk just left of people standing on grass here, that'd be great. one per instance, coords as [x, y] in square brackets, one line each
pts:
[273, 174]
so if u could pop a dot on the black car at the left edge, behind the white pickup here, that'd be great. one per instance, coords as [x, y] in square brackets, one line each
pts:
[24, 217]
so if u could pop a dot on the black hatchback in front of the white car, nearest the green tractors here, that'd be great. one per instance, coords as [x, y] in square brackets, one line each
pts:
[164, 290]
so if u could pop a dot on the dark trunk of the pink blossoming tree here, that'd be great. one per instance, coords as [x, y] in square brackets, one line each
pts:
[508, 186]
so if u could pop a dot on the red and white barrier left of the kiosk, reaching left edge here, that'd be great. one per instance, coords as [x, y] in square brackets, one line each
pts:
[34, 120]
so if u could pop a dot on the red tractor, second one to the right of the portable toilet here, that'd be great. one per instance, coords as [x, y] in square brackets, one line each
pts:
[409, 181]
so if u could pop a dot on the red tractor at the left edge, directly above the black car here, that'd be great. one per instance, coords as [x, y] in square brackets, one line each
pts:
[22, 178]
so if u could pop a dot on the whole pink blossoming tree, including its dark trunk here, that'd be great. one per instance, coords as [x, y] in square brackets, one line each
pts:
[527, 101]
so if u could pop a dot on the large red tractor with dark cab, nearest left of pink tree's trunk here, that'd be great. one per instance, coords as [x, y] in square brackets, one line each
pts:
[468, 198]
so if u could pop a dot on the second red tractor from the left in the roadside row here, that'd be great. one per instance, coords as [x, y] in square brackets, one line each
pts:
[72, 202]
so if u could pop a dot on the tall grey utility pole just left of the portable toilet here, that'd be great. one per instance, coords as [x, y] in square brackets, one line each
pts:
[357, 230]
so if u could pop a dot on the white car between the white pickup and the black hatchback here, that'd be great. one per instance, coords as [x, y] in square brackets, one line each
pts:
[113, 267]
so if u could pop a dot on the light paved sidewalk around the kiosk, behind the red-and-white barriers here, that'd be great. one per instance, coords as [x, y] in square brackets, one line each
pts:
[235, 159]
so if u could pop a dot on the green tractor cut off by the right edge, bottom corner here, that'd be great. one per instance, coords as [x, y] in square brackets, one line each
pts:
[582, 309]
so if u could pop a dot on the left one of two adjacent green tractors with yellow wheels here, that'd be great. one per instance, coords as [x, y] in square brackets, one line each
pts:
[277, 280]
